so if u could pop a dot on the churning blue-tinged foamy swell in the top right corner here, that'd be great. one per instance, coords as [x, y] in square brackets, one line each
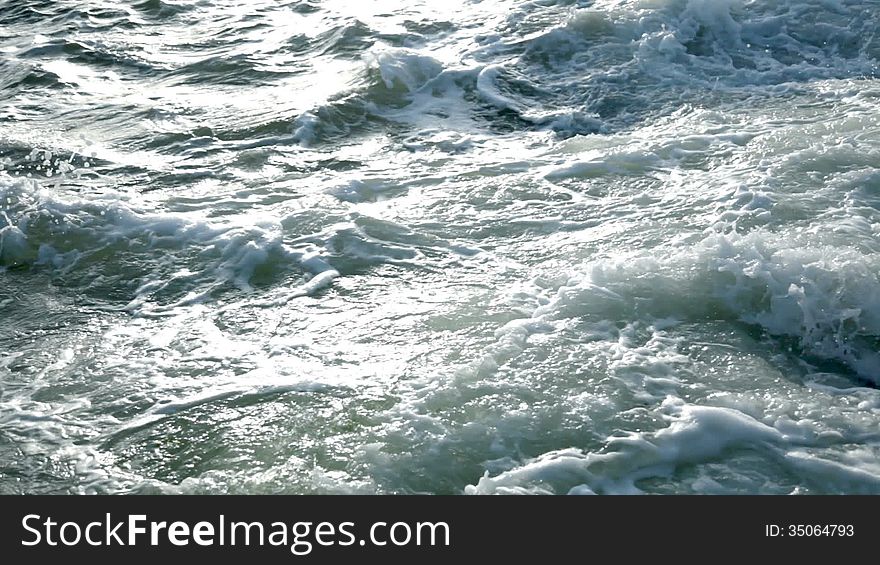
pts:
[627, 62]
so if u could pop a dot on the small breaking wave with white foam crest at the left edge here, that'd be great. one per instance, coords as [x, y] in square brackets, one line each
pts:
[108, 244]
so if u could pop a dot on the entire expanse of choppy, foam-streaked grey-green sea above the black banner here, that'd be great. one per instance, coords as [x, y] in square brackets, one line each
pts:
[460, 247]
